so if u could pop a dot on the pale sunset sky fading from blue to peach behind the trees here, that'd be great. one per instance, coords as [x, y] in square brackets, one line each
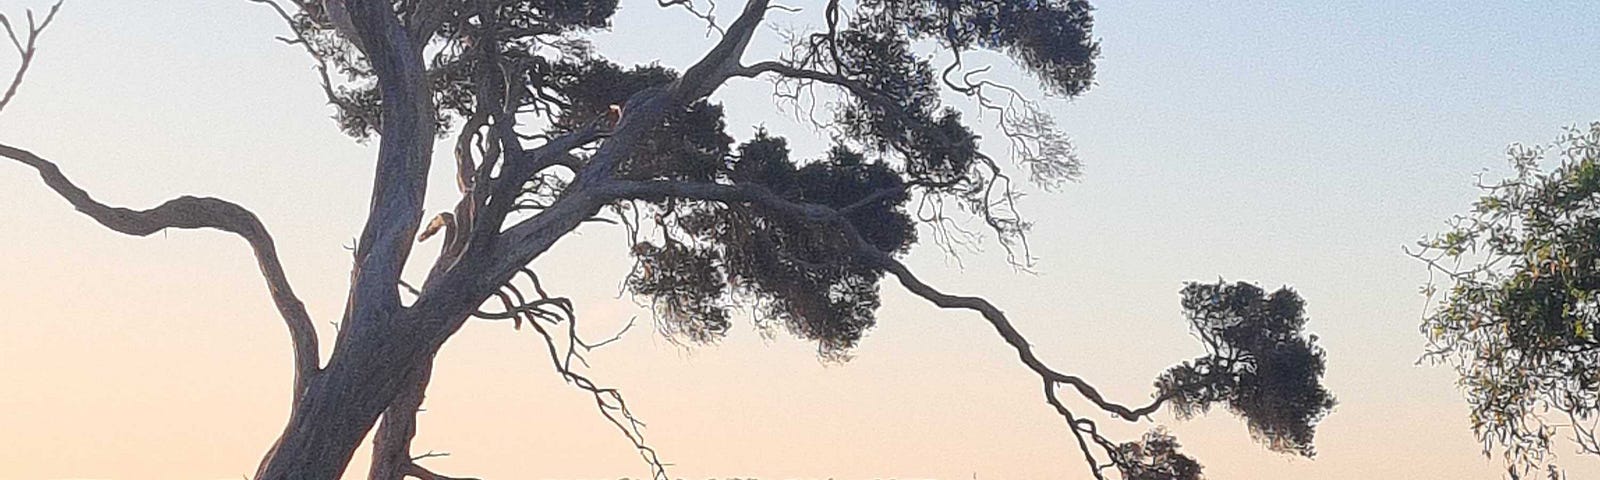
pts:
[1284, 143]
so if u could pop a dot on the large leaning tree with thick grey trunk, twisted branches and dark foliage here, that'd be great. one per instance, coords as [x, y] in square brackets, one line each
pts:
[550, 135]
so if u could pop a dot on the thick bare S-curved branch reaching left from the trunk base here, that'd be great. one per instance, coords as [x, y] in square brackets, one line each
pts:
[198, 214]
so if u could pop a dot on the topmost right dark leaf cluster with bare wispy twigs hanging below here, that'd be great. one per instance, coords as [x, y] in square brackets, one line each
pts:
[892, 97]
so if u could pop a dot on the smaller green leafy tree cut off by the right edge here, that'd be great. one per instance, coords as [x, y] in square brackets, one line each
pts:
[1522, 303]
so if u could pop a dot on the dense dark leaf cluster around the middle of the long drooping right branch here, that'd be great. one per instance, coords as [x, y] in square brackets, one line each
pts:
[799, 274]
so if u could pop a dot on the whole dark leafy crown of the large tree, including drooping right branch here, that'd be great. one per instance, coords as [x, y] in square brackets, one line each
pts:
[807, 241]
